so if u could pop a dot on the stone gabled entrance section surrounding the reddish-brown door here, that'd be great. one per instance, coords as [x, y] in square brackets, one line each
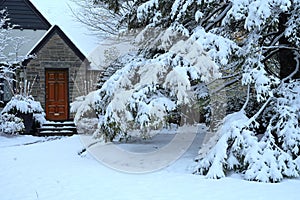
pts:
[57, 63]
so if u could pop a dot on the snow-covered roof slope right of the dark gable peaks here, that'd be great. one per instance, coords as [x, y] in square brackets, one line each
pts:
[59, 12]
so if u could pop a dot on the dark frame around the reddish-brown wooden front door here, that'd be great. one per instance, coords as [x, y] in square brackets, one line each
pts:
[68, 88]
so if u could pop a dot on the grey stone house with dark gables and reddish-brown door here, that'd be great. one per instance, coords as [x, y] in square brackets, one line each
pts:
[56, 62]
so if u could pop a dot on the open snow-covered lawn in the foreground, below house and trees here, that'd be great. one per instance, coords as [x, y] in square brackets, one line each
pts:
[50, 168]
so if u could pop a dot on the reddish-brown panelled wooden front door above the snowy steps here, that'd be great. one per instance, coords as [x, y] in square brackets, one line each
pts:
[57, 94]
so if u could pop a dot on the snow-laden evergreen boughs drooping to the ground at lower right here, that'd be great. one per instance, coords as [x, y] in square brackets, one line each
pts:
[271, 156]
